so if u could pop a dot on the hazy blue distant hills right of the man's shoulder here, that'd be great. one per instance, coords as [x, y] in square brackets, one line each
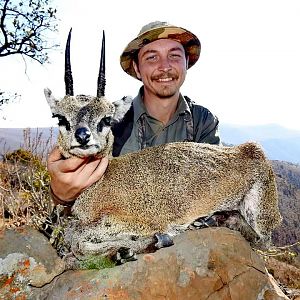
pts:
[278, 142]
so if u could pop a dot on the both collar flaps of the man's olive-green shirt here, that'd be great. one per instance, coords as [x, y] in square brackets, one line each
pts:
[140, 109]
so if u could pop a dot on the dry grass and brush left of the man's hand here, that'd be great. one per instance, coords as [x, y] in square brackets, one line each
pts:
[24, 182]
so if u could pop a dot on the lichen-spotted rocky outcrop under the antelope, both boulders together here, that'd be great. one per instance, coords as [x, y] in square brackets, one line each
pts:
[214, 263]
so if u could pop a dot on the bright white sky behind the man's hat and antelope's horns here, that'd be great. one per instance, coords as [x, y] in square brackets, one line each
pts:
[248, 72]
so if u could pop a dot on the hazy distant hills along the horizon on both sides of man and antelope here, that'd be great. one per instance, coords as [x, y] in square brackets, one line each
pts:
[279, 143]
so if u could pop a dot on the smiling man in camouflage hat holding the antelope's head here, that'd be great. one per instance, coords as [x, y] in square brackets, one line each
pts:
[159, 57]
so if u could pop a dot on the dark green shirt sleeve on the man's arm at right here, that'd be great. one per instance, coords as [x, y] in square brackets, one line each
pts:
[206, 126]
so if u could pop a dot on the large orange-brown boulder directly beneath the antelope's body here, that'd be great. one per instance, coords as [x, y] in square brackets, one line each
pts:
[212, 263]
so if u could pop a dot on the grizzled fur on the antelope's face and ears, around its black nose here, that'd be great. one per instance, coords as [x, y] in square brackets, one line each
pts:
[88, 112]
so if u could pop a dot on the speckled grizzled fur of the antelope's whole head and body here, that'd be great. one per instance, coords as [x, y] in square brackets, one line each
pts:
[162, 189]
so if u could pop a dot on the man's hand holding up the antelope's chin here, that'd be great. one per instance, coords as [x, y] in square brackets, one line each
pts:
[69, 177]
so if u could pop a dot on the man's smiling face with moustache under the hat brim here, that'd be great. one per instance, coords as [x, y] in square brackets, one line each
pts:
[162, 67]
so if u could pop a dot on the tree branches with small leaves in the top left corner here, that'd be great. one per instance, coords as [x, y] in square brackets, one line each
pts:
[24, 25]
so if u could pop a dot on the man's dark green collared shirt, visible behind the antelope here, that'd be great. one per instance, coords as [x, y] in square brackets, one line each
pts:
[156, 133]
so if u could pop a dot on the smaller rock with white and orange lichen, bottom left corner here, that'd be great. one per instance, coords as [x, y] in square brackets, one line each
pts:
[26, 259]
